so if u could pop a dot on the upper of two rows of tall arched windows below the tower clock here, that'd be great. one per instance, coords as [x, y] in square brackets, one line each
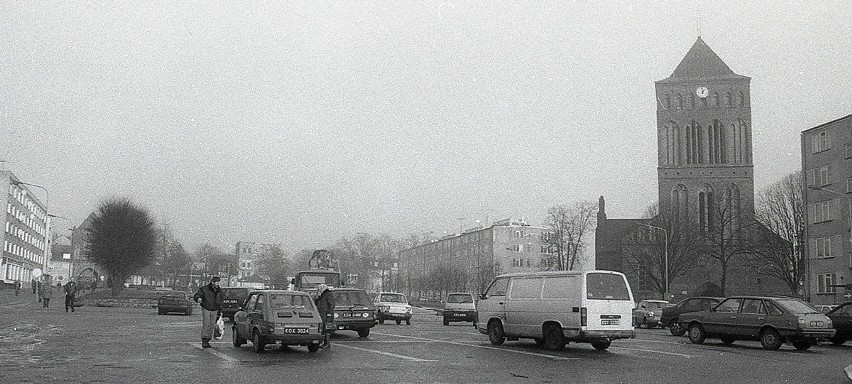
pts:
[713, 144]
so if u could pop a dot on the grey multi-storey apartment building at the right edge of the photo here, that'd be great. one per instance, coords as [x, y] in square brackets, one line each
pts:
[827, 170]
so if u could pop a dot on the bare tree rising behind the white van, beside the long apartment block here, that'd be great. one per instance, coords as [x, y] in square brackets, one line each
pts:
[568, 226]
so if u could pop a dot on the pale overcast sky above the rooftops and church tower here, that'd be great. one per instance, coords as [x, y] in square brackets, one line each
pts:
[303, 122]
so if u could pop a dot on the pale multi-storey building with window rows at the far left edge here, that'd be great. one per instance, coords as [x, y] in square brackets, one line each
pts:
[25, 235]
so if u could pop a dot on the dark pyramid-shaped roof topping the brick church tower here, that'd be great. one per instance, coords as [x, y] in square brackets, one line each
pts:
[701, 63]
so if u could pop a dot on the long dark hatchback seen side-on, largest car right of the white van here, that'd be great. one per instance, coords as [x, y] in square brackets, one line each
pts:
[772, 320]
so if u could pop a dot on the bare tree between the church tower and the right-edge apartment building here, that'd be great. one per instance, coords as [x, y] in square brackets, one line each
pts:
[781, 209]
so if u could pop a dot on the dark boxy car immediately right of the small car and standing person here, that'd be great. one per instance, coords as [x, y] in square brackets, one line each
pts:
[353, 310]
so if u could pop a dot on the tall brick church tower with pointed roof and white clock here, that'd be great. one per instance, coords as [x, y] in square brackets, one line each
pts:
[704, 139]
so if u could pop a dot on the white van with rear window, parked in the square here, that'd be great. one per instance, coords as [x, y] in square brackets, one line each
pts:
[556, 307]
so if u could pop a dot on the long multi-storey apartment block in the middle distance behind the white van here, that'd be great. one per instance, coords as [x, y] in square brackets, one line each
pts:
[477, 254]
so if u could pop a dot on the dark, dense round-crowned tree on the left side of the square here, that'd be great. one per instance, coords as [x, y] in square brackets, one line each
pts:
[122, 239]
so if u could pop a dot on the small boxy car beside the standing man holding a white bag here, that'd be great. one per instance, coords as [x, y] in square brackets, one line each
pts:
[276, 316]
